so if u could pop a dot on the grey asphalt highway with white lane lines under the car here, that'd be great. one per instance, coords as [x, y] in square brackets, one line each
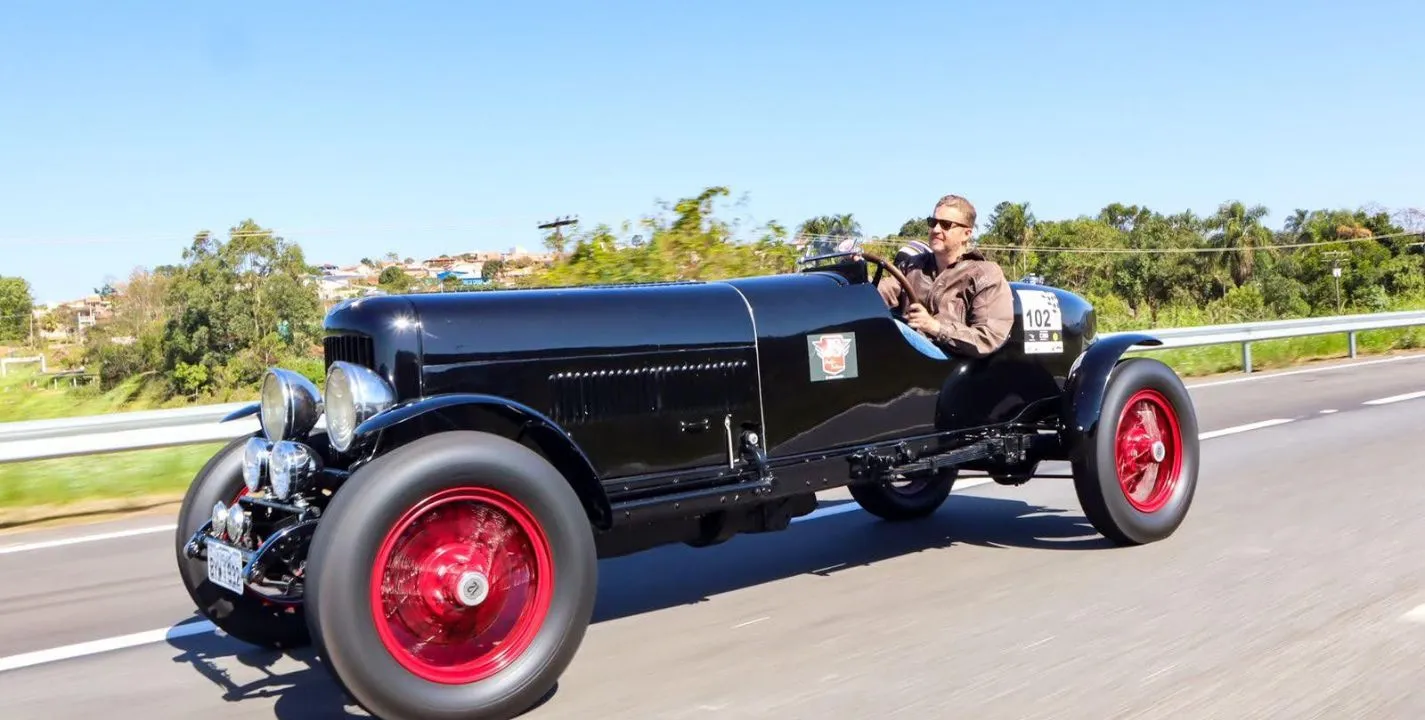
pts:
[1293, 591]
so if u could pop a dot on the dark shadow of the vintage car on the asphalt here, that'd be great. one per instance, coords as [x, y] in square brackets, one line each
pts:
[301, 689]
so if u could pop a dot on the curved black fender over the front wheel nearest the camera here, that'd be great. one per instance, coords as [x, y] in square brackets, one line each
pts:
[517, 421]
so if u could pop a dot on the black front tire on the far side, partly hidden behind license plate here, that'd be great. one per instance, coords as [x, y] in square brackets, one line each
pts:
[246, 618]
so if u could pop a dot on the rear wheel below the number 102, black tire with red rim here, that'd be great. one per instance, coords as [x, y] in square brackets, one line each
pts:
[1146, 384]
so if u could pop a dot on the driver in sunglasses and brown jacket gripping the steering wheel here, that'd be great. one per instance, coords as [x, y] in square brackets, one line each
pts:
[971, 309]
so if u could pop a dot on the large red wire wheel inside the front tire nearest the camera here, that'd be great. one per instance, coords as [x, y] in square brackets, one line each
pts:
[462, 585]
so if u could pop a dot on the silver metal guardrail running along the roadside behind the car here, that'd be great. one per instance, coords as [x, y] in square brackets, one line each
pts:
[149, 430]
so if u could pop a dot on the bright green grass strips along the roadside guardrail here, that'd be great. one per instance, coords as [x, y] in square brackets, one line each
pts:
[123, 481]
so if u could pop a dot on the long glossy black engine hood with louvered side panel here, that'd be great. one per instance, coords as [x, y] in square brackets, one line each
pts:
[641, 377]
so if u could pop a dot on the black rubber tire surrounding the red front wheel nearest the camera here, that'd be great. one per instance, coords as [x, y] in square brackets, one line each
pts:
[371, 505]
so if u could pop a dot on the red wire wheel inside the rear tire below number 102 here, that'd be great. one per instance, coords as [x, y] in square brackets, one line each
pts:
[1149, 451]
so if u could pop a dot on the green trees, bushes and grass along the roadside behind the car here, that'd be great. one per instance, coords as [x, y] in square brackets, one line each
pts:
[204, 330]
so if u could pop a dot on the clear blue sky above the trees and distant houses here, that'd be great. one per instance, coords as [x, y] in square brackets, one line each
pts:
[358, 128]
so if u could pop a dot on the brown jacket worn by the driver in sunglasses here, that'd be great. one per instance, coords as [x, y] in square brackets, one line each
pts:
[971, 300]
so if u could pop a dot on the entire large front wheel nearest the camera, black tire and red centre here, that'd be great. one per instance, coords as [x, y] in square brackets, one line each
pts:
[467, 540]
